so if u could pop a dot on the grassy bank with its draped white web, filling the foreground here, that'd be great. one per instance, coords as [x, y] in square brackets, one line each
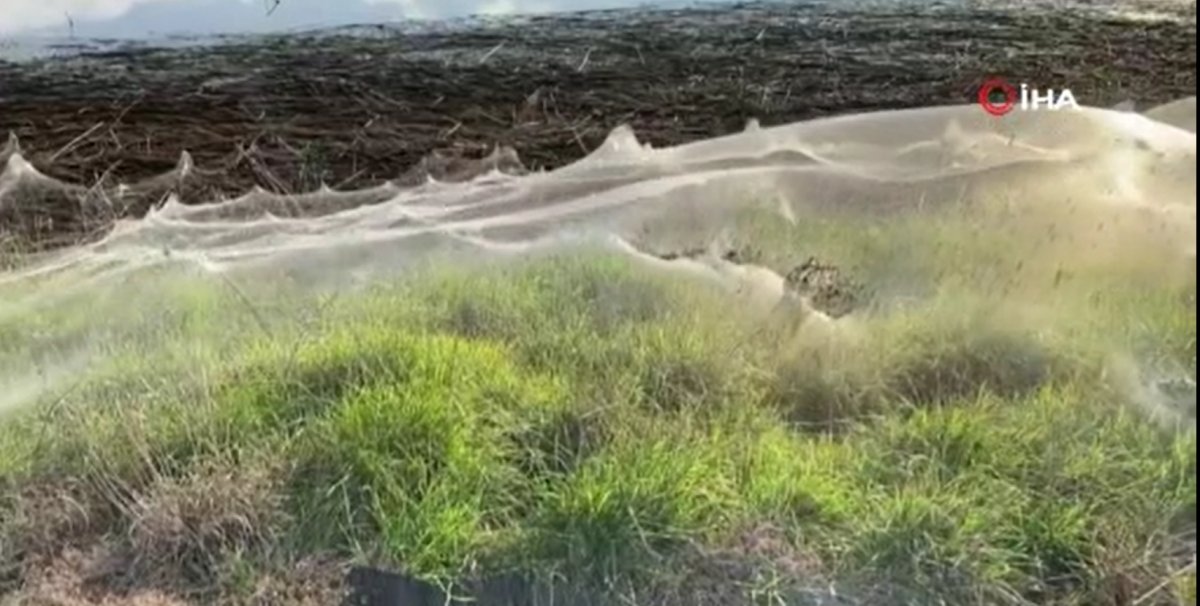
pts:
[571, 383]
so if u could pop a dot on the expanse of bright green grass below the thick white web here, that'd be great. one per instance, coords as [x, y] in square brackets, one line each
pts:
[585, 424]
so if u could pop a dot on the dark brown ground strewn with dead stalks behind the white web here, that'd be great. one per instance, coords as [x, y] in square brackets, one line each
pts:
[358, 106]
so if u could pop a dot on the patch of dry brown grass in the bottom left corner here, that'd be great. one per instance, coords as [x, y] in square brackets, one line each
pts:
[73, 544]
